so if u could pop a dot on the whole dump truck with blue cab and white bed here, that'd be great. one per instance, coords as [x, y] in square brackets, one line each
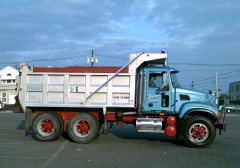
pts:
[145, 92]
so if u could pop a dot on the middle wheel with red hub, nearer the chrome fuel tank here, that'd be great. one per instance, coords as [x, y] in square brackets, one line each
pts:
[83, 128]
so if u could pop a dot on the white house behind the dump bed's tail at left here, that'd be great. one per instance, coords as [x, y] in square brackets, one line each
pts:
[8, 85]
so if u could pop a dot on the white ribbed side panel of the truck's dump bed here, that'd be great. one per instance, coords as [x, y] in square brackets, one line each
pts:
[44, 89]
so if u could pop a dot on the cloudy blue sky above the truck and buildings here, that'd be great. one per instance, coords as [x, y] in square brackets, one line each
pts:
[202, 38]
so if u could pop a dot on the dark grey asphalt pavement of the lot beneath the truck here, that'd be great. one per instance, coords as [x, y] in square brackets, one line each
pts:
[121, 147]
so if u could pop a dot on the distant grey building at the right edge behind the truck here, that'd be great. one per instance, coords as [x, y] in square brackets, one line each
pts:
[234, 92]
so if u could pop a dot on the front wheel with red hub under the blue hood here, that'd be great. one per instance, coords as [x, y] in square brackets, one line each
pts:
[198, 132]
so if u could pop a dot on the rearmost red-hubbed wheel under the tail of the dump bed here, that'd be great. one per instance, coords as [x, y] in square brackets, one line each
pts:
[46, 127]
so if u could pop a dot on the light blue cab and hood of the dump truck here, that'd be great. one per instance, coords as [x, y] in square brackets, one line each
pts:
[168, 94]
